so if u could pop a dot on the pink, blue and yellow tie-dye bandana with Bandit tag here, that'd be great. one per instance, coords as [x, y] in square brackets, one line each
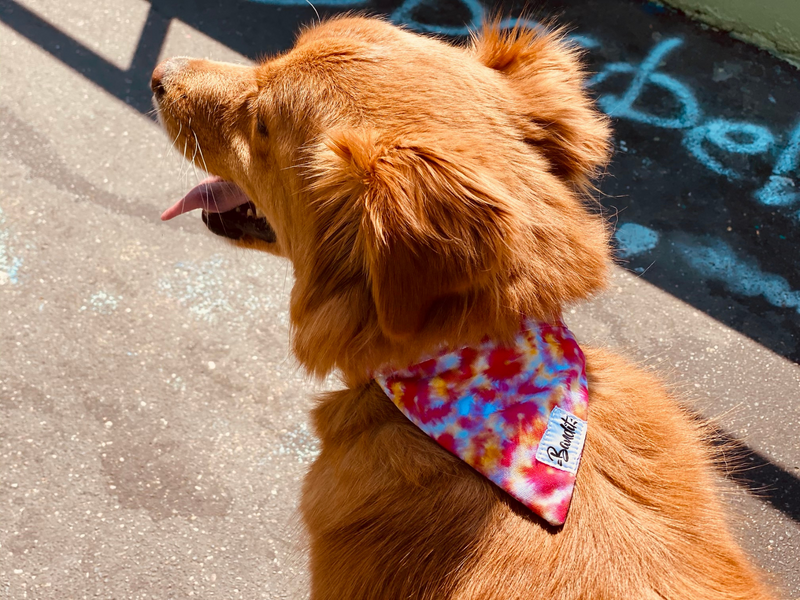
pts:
[515, 414]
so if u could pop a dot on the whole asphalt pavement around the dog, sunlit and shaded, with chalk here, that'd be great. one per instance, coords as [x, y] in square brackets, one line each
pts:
[153, 424]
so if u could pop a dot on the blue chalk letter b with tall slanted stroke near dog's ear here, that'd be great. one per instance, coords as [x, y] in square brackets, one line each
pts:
[622, 106]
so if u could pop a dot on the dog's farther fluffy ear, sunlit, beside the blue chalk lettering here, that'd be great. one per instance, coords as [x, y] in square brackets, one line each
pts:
[553, 110]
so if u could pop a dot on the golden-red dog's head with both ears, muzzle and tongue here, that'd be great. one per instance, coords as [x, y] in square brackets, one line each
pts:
[424, 193]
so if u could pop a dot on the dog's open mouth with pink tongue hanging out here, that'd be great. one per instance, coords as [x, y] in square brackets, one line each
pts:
[227, 210]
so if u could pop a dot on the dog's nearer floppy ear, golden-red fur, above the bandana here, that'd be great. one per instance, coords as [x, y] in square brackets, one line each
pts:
[427, 226]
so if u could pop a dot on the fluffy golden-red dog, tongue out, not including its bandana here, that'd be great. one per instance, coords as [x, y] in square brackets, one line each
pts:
[431, 196]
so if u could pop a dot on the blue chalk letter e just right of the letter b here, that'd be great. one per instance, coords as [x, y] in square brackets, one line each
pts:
[719, 132]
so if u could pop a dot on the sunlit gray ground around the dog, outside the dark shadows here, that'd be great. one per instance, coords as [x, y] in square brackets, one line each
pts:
[153, 426]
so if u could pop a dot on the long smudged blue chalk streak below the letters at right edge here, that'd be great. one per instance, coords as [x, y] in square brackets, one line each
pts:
[716, 260]
